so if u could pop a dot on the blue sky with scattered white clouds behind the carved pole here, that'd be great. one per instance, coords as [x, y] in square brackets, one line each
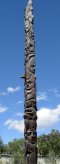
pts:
[47, 50]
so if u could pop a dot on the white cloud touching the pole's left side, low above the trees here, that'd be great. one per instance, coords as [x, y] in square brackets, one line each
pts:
[15, 124]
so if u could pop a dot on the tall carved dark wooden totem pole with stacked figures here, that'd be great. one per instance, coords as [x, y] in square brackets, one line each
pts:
[30, 112]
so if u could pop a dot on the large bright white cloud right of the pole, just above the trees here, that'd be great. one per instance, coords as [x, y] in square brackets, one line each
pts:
[48, 117]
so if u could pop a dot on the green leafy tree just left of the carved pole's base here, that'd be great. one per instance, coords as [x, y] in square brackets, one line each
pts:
[16, 148]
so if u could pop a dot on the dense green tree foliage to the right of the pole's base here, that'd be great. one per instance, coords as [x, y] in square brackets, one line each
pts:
[49, 143]
